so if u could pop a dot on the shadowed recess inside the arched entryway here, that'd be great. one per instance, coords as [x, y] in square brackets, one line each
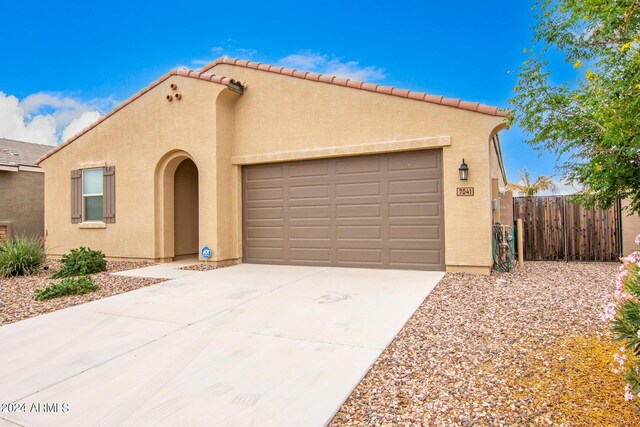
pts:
[185, 208]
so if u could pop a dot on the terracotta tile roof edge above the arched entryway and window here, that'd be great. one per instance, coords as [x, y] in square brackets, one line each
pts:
[207, 77]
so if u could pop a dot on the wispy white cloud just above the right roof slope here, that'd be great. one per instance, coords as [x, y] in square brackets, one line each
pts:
[327, 64]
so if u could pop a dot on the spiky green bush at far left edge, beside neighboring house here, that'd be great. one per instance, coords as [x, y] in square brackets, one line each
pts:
[21, 256]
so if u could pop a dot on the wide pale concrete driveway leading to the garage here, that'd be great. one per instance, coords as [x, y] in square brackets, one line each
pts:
[244, 345]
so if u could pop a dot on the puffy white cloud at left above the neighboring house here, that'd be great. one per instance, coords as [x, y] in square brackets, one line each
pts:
[47, 118]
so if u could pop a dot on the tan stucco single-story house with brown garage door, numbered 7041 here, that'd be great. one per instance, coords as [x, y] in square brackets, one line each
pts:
[266, 164]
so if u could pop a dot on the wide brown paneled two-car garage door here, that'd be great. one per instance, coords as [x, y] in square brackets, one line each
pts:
[380, 211]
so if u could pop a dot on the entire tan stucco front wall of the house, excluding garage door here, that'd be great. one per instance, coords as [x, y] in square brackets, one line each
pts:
[277, 118]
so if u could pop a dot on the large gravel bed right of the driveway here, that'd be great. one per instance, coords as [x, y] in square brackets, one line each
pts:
[455, 361]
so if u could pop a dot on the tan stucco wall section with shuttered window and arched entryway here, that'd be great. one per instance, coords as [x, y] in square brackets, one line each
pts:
[135, 140]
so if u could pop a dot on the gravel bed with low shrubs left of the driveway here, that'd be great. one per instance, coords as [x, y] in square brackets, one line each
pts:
[16, 293]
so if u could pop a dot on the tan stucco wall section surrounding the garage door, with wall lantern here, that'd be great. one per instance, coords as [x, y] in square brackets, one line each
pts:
[278, 115]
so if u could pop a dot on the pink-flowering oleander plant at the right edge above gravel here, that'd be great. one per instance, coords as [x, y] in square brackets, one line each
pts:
[623, 313]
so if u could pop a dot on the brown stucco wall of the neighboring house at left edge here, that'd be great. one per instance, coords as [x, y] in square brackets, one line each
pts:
[22, 202]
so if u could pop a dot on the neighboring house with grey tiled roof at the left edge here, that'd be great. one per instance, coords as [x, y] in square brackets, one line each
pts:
[21, 189]
